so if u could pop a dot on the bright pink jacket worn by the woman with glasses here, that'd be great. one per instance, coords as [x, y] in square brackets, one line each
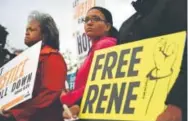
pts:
[82, 74]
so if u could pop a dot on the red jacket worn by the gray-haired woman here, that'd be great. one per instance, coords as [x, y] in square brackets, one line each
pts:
[50, 80]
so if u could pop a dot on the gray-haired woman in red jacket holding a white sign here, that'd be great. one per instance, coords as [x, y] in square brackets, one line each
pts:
[51, 74]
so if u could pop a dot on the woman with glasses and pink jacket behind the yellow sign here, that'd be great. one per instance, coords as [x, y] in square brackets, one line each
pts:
[99, 28]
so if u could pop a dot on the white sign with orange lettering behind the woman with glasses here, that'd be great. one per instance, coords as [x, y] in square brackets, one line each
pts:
[80, 8]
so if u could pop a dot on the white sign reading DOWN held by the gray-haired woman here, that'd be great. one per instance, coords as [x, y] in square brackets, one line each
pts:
[17, 78]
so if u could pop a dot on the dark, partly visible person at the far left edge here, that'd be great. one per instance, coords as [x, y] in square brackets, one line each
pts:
[5, 55]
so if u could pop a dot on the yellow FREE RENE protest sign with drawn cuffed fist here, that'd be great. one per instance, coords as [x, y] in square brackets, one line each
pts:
[131, 81]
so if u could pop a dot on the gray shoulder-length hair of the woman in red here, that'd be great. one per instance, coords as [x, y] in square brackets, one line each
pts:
[48, 27]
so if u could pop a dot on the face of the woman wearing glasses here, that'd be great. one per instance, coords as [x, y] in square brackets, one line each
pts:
[95, 24]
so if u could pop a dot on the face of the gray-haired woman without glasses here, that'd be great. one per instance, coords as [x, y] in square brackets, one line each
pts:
[33, 33]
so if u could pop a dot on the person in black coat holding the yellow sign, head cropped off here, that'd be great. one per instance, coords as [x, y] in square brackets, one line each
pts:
[156, 18]
